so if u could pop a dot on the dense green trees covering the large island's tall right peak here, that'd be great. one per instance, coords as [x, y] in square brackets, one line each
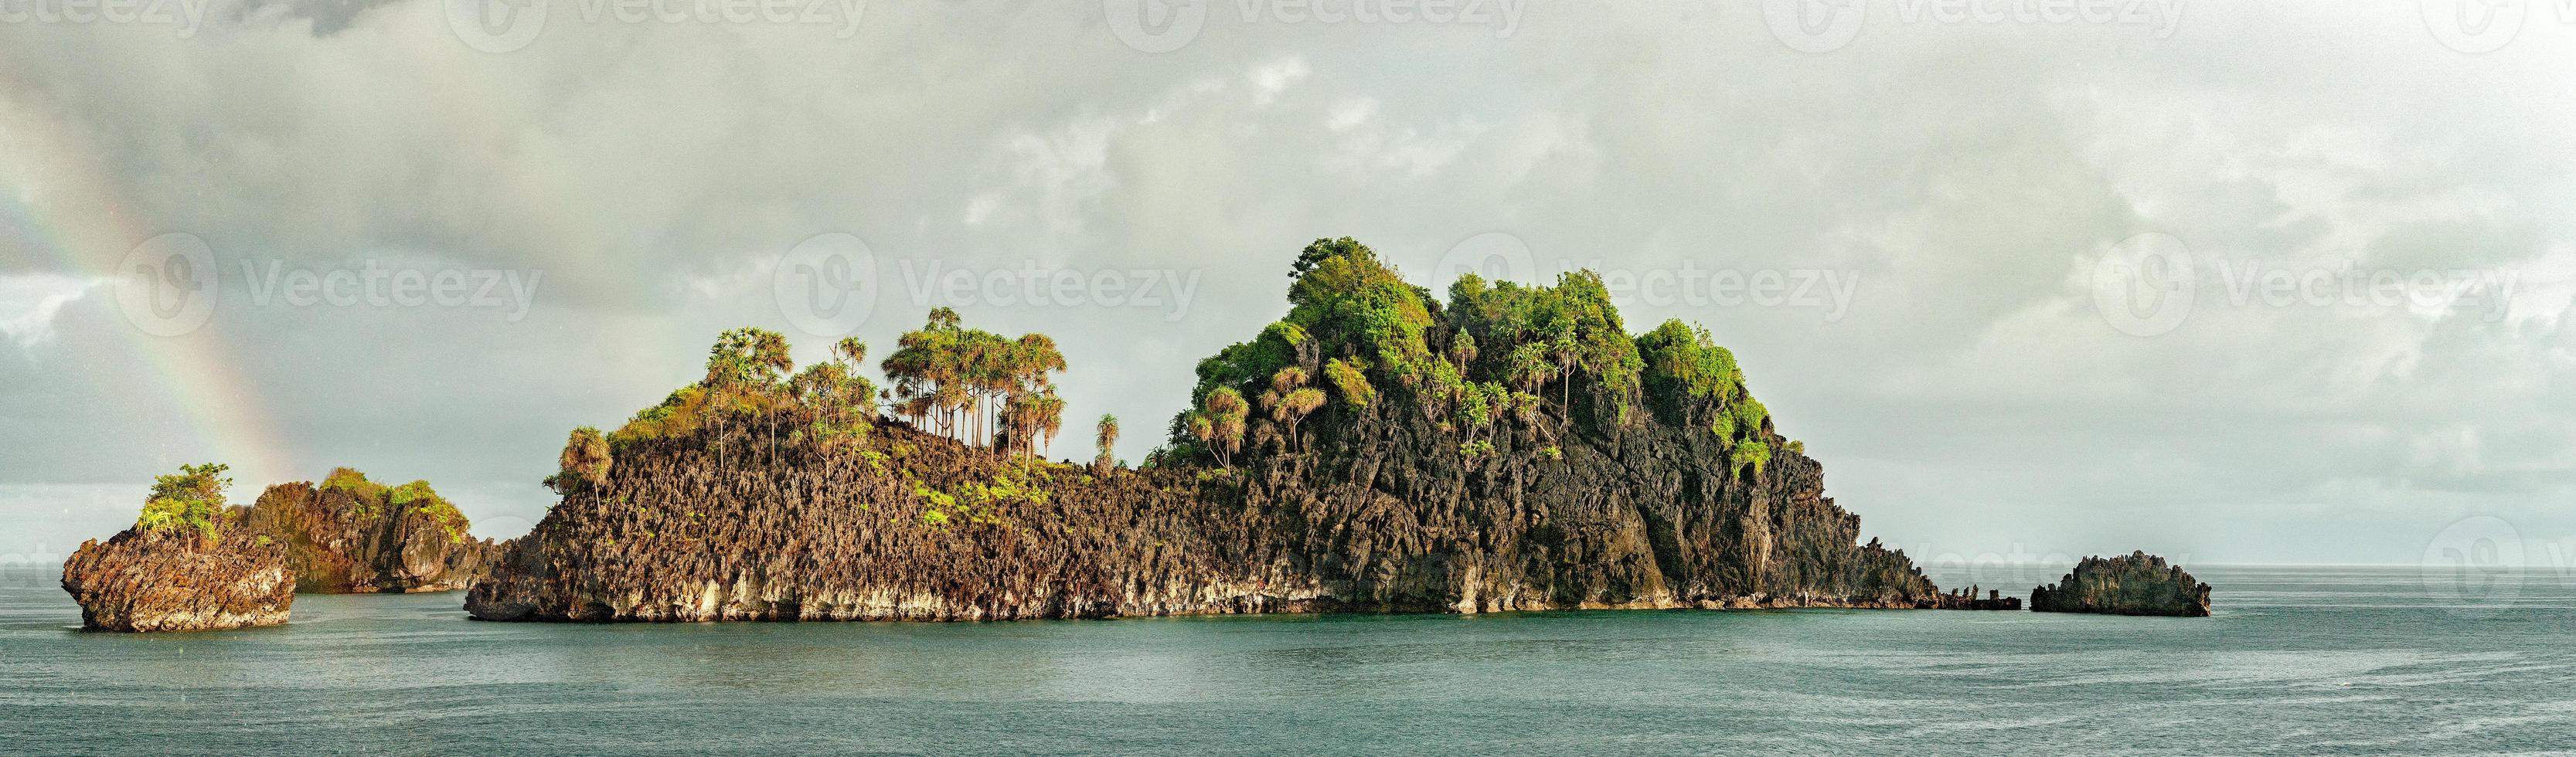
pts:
[1493, 357]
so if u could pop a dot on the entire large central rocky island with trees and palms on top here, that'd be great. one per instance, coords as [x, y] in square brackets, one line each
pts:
[1377, 452]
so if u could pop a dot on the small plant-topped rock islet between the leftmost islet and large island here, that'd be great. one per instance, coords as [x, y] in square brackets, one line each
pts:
[359, 537]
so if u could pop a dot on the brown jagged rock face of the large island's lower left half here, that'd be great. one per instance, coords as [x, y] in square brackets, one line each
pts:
[689, 534]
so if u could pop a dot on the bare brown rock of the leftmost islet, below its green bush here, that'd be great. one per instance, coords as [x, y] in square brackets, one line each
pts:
[179, 581]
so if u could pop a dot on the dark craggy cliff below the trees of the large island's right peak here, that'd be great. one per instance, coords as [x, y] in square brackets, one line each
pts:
[1619, 516]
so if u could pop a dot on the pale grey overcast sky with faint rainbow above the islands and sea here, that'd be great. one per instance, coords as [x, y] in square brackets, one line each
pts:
[2029, 279]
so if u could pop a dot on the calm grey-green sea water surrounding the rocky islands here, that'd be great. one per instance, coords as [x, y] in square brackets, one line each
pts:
[2294, 663]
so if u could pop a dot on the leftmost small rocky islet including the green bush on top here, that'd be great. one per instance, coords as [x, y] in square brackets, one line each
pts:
[187, 565]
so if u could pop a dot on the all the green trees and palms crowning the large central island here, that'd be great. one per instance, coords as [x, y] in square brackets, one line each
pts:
[1495, 357]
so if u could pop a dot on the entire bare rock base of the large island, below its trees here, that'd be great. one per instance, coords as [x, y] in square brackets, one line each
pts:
[921, 529]
